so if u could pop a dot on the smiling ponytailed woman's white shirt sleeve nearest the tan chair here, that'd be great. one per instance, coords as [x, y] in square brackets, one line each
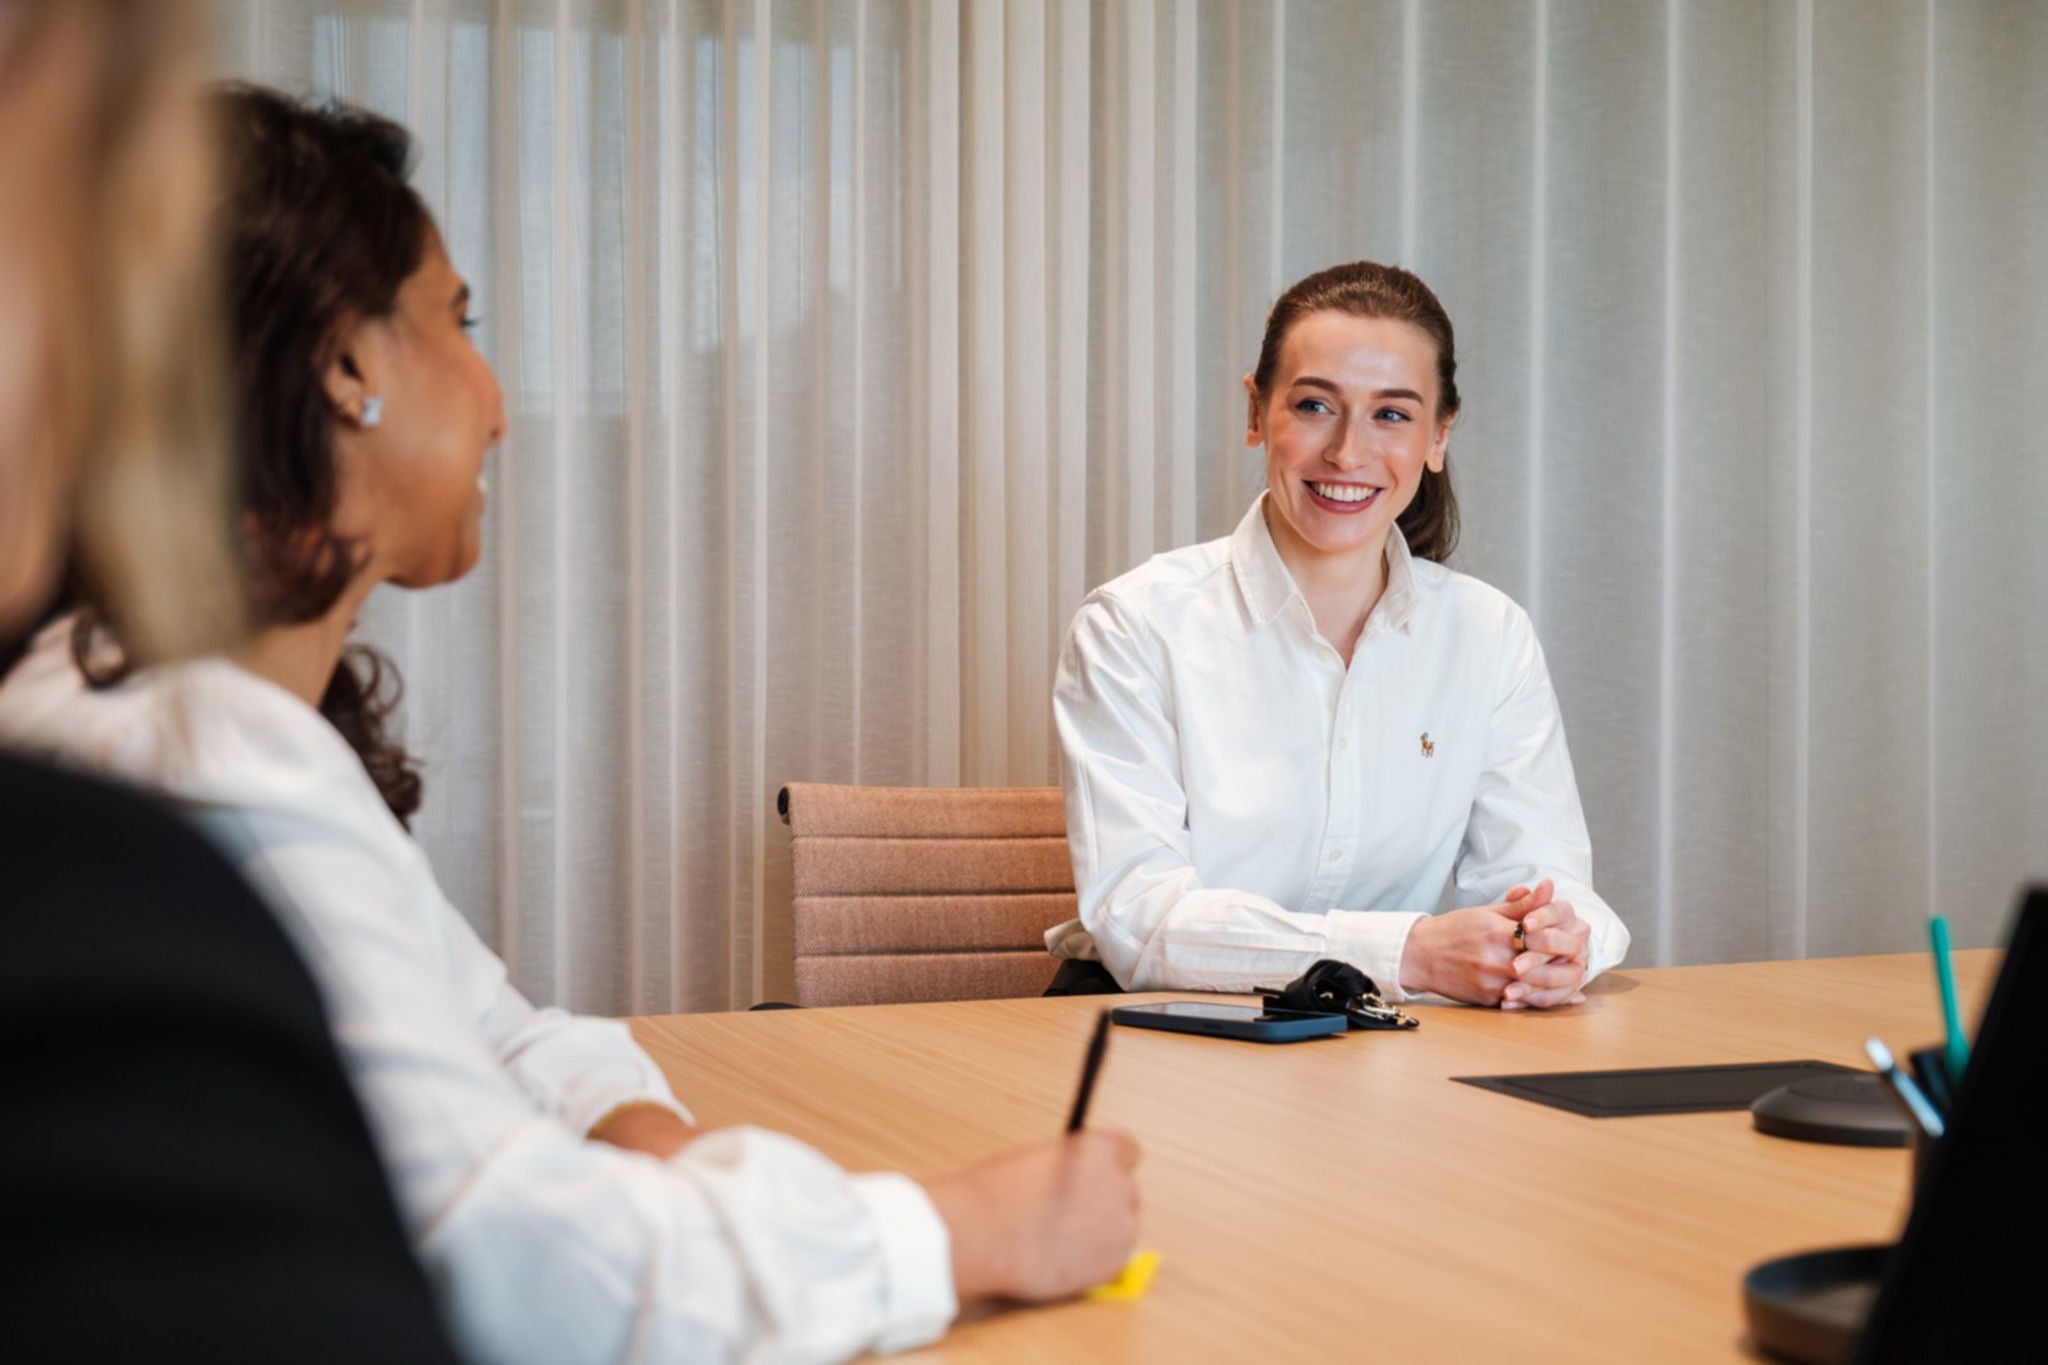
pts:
[1154, 922]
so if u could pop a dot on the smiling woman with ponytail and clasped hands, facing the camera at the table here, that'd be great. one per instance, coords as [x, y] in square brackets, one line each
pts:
[1285, 744]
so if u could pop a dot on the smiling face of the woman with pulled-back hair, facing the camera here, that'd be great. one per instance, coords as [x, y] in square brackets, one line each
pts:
[1349, 429]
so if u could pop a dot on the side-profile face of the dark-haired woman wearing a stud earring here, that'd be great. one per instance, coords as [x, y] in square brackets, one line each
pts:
[413, 484]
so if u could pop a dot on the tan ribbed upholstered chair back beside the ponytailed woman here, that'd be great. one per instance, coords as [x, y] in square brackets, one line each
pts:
[925, 893]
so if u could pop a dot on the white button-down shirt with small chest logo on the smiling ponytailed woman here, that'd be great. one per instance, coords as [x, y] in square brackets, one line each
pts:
[1240, 803]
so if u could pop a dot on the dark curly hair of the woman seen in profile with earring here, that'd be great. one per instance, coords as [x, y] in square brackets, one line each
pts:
[321, 230]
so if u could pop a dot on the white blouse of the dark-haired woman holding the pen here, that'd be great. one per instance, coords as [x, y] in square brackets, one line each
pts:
[544, 1247]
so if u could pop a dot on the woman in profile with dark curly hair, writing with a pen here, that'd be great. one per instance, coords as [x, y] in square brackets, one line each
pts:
[556, 1190]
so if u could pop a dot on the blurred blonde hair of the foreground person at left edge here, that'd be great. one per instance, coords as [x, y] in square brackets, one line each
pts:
[140, 398]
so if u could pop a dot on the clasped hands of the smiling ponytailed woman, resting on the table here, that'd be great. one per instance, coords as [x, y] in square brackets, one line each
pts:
[1476, 957]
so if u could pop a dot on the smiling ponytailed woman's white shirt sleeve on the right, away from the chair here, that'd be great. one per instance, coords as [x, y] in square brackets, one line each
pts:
[1527, 820]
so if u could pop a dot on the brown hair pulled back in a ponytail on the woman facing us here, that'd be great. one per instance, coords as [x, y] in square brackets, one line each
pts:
[1369, 290]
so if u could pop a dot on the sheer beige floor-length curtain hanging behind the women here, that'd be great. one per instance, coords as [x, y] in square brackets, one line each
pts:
[849, 343]
